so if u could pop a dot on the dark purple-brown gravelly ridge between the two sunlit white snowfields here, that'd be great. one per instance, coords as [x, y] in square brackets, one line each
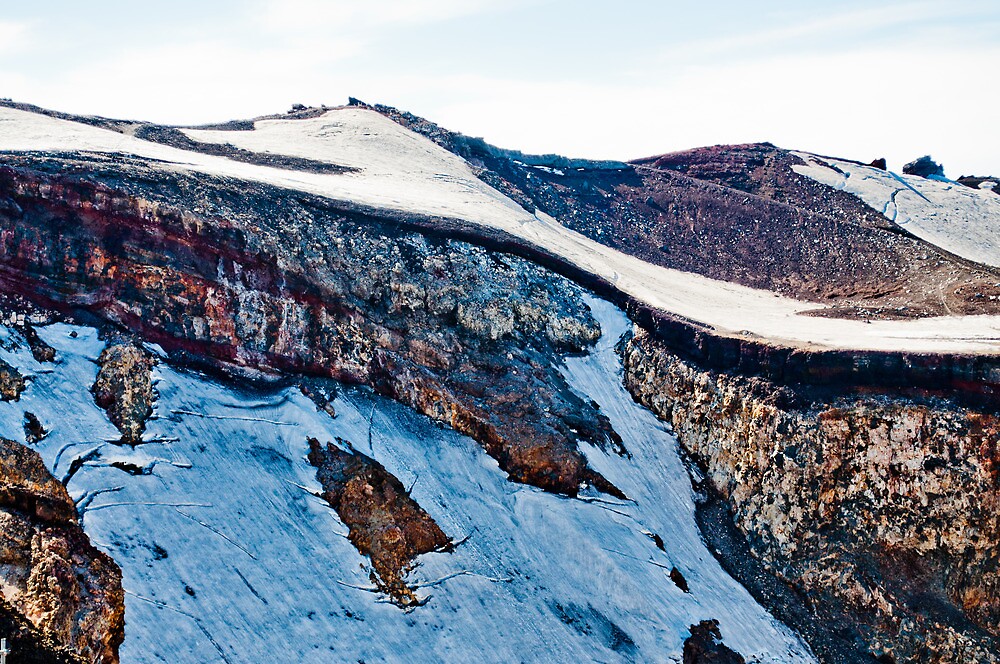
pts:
[737, 213]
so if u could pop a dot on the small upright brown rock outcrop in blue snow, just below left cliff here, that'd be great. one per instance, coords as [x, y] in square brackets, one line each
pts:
[124, 388]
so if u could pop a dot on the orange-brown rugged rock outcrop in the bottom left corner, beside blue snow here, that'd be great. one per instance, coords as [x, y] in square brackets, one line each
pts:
[50, 572]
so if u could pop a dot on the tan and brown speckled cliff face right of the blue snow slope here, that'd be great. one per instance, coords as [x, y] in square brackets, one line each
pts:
[886, 508]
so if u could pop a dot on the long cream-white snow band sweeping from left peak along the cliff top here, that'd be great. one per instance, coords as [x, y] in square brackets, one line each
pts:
[401, 170]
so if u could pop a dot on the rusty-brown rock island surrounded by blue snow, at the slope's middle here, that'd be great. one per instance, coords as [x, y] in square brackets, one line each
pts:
[385, 523]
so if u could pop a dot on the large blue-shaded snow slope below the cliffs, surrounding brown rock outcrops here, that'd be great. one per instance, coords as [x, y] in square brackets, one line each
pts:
[227, 556]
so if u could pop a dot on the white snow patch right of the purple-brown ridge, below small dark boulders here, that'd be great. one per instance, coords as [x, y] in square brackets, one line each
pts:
[957, 218]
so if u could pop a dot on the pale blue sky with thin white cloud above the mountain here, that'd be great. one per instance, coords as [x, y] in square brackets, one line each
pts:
[597, 79]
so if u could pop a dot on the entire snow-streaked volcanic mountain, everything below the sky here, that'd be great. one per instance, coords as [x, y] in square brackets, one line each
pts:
[344, 385]
